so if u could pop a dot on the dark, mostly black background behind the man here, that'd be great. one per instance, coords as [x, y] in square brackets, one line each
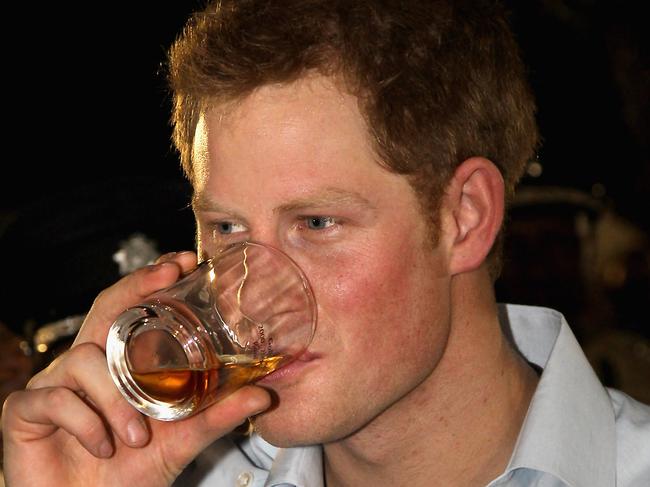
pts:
[88, 161]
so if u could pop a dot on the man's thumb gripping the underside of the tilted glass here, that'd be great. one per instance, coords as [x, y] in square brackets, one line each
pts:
[198, 432]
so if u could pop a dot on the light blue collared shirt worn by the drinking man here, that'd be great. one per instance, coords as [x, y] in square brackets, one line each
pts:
[576, 432]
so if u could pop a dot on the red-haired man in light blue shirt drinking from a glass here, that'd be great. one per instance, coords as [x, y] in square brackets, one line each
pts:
[375, 142]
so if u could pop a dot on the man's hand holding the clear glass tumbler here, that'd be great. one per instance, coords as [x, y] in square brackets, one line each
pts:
[71, 426]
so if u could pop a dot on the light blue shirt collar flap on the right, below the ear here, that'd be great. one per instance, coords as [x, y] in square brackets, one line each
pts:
[569, 428]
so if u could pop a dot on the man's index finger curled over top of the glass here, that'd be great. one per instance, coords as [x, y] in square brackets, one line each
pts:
[129, 291]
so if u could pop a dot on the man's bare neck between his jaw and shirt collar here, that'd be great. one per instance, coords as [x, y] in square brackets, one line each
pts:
[458, 427]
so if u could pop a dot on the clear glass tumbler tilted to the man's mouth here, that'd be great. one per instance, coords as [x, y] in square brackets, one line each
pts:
[236, 318]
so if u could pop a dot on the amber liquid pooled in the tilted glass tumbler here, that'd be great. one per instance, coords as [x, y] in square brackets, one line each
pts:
[204, 386]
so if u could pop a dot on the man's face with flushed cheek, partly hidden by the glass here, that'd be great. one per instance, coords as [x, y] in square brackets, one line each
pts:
[292, 166]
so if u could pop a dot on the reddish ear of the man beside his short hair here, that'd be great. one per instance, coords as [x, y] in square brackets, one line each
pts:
[475, 199]
